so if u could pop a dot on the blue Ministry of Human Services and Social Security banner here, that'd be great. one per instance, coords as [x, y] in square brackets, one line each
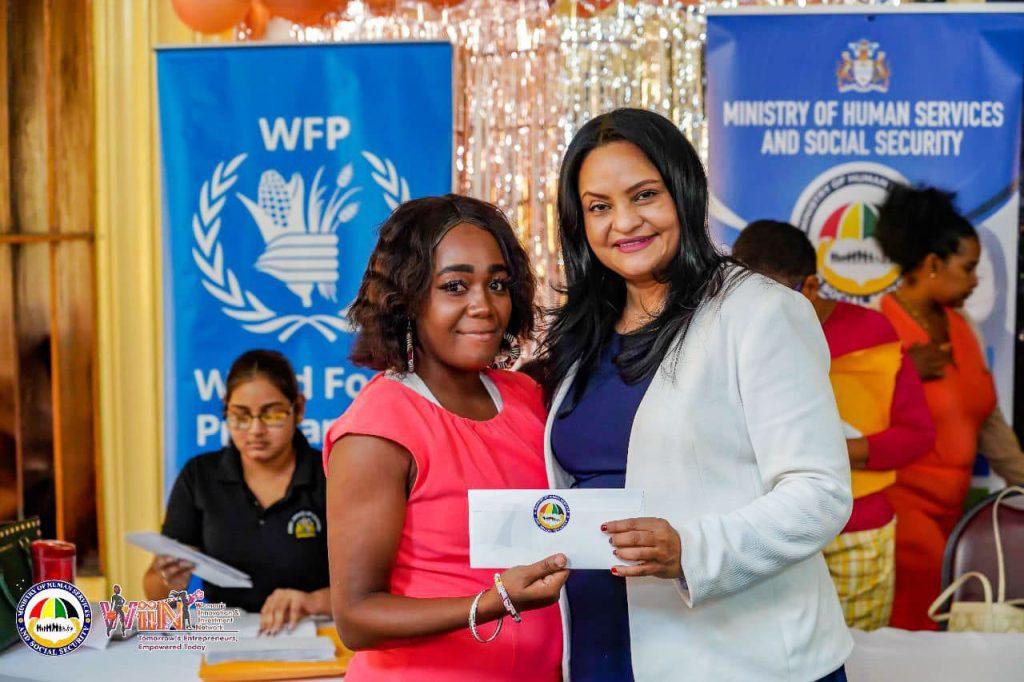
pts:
[814, 116]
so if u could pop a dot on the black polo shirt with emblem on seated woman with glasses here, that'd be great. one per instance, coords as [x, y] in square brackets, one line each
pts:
[284, 546]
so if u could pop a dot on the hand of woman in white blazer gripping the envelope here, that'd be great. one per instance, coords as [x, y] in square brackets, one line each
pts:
[652, 541]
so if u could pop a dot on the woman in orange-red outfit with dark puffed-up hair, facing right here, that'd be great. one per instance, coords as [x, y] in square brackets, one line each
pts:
[938, 252]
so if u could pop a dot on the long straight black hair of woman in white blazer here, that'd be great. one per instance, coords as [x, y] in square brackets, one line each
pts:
[595, 295]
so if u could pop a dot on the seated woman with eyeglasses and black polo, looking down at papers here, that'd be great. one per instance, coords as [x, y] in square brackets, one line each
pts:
[258, 505]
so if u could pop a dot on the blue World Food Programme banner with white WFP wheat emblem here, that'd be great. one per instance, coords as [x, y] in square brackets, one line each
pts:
[279, 165]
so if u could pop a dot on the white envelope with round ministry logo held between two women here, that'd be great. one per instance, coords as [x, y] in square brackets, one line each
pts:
[515, 528]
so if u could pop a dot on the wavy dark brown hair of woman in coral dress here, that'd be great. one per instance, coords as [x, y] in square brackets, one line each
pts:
[397, 283]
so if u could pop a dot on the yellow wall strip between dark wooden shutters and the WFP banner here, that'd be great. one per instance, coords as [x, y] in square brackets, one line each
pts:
[129, 272]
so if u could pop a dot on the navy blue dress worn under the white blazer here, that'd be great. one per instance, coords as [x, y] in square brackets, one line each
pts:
[590, 444]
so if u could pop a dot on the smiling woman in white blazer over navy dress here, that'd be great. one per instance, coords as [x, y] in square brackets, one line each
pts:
[669, 369]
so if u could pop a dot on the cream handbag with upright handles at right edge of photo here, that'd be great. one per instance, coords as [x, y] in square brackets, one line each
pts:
[1000, 616]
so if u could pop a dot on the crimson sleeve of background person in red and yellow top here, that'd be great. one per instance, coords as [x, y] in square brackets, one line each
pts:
[911, 432]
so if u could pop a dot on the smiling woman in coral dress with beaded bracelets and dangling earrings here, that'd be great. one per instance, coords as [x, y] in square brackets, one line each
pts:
[449, 288]
